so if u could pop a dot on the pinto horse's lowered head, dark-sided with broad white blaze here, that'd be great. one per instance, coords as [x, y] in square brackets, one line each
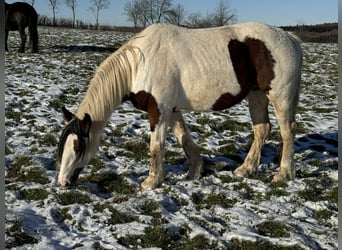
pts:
[72, 148]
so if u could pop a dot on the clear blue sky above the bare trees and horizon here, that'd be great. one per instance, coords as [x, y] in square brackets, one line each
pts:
[274, 12]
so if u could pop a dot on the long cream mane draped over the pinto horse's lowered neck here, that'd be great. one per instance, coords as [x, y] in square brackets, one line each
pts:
[110, 84]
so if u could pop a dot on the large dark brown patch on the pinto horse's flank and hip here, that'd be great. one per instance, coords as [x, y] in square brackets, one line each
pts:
[253, 66]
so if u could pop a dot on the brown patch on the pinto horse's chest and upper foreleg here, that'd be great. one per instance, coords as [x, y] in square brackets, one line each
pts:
[145, 101]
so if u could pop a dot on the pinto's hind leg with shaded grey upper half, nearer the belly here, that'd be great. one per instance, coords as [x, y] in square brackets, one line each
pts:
[258, 103]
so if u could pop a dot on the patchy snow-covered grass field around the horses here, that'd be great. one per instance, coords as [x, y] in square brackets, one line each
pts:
[105, 210]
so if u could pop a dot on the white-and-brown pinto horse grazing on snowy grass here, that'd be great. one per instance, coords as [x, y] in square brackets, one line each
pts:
[166, 69]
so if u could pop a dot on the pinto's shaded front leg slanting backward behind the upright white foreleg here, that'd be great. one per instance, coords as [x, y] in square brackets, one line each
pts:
[190, 148]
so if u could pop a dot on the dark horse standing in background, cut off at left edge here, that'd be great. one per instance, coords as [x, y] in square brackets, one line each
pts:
[20, 15]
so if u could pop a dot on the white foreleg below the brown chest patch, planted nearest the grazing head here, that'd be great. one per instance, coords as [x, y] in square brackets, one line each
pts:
[157, 144]
